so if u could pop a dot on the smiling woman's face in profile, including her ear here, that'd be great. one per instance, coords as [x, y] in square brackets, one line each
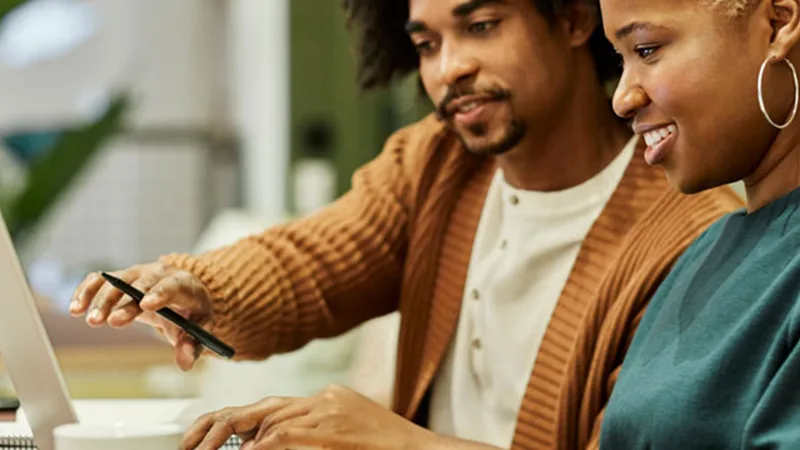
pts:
[690, 86]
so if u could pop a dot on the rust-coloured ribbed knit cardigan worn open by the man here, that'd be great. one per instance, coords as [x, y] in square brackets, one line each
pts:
[402, 238]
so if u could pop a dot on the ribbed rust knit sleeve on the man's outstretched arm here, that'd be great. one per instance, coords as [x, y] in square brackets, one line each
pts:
[316, 277]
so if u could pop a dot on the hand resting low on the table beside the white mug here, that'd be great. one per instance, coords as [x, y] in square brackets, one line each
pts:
[336, 418]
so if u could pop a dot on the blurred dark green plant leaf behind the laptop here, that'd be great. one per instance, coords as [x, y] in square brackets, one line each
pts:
[50, 176]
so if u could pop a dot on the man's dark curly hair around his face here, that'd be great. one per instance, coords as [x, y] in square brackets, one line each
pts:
[385, 52]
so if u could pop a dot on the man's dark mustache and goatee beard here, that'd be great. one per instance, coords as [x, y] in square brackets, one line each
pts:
[512, 134]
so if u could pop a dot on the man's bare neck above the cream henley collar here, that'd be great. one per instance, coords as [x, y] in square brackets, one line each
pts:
[578, 145]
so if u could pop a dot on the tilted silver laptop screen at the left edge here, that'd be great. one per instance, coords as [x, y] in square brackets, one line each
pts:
[27, 353]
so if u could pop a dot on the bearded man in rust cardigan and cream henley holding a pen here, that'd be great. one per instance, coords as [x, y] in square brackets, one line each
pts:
[519, 233]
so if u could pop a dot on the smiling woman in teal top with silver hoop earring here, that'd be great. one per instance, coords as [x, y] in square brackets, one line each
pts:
[711, 86]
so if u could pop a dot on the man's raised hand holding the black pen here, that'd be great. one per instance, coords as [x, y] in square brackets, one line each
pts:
[164, 286]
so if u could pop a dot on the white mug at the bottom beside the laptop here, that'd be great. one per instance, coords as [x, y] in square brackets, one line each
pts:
[117, 436]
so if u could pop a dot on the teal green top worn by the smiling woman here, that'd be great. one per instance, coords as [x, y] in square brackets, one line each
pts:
[715, 363]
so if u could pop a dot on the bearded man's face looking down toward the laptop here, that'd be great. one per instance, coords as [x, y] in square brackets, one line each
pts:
[493, 68]
